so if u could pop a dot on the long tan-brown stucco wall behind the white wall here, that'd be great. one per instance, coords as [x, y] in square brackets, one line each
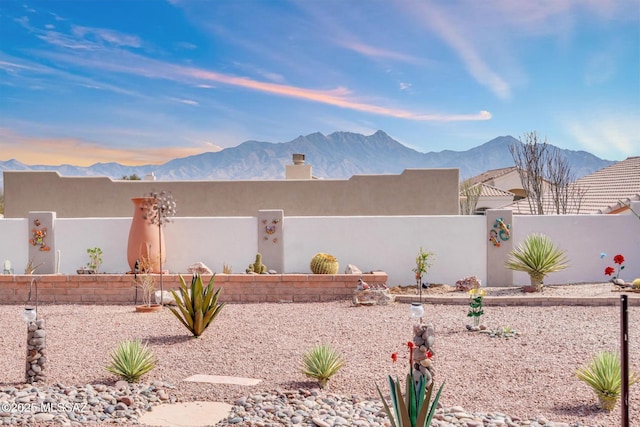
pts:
[413, 192]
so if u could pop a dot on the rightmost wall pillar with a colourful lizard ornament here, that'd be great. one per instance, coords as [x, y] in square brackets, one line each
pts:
[499, 243]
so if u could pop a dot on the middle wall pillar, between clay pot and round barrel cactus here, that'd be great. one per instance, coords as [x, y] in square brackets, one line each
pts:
[271, 238]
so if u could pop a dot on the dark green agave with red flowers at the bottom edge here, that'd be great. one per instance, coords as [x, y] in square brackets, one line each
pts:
[416, 408]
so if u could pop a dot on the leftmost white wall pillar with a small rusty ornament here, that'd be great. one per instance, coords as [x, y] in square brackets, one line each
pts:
[42, 242]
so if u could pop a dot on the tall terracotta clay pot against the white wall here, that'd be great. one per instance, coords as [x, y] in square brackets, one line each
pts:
[144, 238]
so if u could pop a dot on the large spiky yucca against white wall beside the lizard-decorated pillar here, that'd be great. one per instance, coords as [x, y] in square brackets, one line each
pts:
[537, 256]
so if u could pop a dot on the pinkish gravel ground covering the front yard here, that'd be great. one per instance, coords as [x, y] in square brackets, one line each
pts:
[526, 376]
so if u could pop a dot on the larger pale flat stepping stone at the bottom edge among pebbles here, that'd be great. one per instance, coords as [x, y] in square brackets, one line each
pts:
[186, 414]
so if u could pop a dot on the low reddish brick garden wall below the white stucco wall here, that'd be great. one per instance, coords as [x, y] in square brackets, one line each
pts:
[238, 288]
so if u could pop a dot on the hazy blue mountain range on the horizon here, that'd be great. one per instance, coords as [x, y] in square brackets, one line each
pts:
[338, 155]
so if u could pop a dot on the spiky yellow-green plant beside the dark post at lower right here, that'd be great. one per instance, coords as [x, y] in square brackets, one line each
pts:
[603, 375]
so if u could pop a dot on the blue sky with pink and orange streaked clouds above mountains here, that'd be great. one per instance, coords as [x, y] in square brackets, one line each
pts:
[139, 82]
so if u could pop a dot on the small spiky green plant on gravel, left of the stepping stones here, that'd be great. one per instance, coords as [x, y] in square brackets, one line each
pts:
[131, 360]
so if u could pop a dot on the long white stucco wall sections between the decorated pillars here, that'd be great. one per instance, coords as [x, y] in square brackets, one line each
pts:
[388, 243]
